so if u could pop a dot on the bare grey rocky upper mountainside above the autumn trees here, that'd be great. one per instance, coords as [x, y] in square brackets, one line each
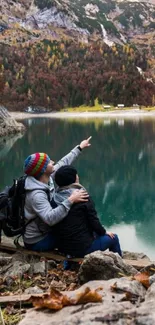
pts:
[113, 20]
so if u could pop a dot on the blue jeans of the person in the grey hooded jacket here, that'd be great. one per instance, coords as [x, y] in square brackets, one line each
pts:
[46, 244]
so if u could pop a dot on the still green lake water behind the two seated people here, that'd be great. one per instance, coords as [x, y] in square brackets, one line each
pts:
[118, 169]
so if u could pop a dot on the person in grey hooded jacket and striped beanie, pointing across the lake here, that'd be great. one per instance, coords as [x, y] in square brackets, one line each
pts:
[39, 186]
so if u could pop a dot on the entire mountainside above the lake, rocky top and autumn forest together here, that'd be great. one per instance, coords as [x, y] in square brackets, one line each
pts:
[34, 36]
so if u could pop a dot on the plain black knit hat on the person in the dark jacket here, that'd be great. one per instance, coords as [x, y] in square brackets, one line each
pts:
[65, 176]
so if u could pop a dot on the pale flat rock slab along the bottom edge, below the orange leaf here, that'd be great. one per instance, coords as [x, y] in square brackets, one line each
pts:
[96, 314]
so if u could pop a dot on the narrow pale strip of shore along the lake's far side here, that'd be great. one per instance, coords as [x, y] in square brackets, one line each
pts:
[132, 113]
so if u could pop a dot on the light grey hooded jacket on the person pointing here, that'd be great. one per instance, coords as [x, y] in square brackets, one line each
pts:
[38, 207]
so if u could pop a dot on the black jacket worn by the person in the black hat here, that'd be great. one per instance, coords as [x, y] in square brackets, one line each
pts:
[75, 233]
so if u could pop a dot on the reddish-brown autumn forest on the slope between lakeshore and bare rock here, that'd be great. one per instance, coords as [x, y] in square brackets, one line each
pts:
[57, 74]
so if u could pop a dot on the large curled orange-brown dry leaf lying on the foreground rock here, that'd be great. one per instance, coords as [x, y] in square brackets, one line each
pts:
[56, 300]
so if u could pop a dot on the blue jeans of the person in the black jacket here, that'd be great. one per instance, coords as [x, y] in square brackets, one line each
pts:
[104, 242]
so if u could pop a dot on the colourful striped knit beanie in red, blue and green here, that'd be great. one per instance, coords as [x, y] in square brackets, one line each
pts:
[36, 164]
